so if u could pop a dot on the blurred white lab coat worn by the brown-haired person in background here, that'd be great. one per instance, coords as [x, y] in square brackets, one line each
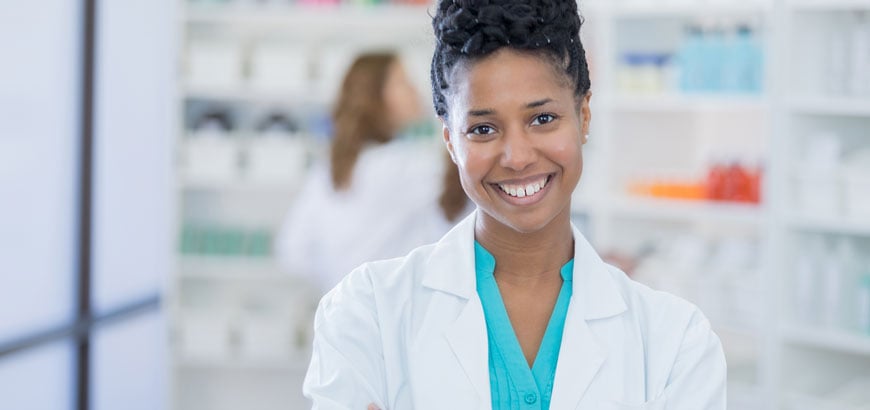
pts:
[389, 209]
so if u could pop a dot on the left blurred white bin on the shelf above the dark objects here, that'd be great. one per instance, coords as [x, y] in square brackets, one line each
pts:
[214, 65]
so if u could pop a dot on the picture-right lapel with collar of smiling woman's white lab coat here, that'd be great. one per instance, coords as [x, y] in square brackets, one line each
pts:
[595, 296]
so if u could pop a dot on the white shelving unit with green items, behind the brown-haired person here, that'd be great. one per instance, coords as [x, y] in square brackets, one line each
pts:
[240, 325]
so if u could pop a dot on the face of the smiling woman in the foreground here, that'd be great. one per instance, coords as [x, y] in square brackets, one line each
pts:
[516, 132]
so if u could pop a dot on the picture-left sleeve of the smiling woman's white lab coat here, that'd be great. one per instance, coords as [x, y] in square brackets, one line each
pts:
[347, 365]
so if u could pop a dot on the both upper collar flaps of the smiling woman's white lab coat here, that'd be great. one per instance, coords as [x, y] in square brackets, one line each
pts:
[452, 271]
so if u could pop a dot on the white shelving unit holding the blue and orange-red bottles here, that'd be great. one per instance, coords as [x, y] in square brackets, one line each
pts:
[654, 126]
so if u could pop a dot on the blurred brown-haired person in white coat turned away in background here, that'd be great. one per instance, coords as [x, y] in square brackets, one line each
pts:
[376, 197]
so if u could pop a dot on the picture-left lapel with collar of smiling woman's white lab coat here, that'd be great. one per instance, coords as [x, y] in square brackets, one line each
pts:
[451, 269]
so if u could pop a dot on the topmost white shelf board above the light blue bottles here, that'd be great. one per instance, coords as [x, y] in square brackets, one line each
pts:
[710, 8]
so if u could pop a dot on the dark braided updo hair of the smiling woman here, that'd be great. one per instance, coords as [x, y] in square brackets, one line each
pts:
[468, 30]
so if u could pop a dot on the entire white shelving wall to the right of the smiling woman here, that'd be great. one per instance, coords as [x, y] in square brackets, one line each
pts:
[780, 360]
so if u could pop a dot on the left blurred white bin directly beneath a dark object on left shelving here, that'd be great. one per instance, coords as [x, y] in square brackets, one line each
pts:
[210, 159]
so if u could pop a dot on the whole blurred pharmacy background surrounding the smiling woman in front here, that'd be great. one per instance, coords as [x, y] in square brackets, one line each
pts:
[163, 165]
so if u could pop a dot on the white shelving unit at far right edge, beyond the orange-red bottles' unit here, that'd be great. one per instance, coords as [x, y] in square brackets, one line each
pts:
[825, 103]
